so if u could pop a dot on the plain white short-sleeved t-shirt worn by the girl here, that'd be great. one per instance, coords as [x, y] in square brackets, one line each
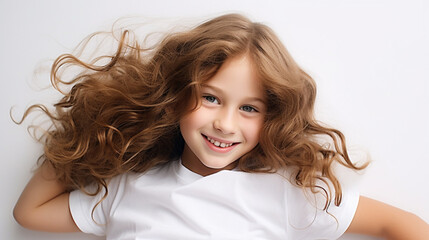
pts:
[172, 202]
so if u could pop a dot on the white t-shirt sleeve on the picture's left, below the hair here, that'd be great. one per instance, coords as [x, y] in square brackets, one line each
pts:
[89, 214]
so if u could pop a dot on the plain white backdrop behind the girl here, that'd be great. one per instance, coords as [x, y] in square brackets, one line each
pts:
[370, 60]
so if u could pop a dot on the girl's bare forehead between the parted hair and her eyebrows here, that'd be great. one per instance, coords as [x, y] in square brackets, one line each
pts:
[237, 75]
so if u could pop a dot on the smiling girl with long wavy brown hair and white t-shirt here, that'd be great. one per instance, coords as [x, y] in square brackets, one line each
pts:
[210, 134]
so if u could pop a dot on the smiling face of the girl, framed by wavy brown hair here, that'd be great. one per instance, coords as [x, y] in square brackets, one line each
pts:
[228, 121]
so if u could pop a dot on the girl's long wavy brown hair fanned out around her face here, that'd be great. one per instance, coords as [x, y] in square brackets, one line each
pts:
[124, 116]
